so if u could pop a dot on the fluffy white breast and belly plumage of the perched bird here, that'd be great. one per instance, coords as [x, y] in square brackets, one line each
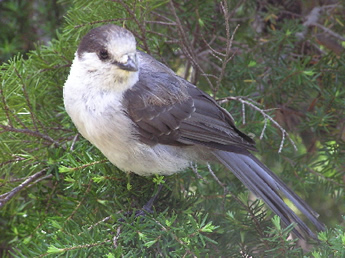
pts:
[92, 96]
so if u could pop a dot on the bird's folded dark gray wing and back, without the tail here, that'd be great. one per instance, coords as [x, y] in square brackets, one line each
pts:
[169, 110]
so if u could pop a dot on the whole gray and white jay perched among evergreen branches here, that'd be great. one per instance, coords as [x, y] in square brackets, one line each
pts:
[147, 120]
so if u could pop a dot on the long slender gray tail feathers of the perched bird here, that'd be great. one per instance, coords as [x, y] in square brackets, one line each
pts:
[265, 185]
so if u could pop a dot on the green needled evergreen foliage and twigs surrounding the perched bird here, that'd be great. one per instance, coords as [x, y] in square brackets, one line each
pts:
[280, 77]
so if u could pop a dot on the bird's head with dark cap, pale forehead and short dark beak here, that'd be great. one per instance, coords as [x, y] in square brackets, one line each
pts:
[109, 52]
